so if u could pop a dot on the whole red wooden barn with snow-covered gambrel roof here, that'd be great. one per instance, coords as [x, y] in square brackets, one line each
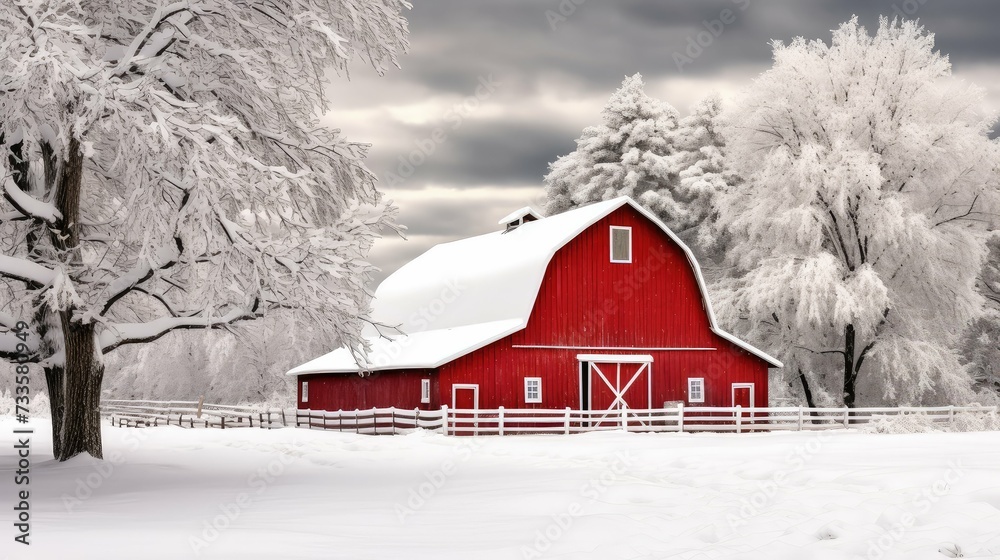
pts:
[598, 308]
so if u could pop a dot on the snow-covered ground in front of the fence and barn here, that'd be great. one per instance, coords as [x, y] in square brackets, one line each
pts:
[245, 494]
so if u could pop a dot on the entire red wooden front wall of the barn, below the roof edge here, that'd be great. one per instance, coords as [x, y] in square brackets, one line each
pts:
[588, 303]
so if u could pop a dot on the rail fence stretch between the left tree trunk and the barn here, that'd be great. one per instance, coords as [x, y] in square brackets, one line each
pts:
[190, 414]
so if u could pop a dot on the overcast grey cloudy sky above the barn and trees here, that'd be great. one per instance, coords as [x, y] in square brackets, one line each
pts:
[510, 84]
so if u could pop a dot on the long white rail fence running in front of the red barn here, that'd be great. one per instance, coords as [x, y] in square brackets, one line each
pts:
[567, 421]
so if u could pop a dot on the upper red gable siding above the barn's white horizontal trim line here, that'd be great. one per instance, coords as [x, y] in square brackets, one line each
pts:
[586, 300]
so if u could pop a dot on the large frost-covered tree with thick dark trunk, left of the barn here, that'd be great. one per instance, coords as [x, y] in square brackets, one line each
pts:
[165, 168]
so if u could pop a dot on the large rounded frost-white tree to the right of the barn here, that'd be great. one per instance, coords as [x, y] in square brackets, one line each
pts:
[856, 237]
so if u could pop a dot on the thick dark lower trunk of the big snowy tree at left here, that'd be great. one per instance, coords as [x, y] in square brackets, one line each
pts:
[81, 429]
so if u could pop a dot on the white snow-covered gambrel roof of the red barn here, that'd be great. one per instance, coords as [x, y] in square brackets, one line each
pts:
[460, 296]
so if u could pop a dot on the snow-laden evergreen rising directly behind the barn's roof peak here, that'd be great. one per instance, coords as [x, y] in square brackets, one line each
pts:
[630, 153]
